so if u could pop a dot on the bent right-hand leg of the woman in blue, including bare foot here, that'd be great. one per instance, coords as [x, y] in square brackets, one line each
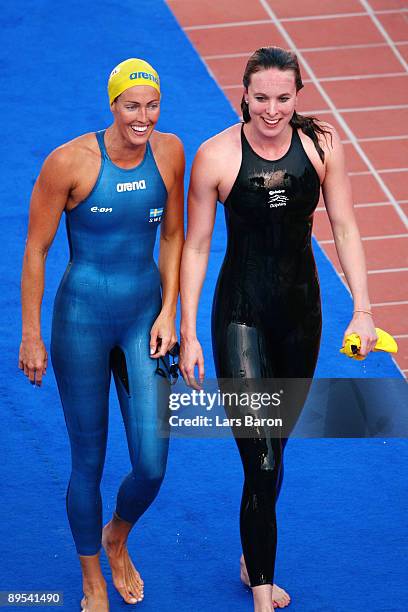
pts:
[143, 398]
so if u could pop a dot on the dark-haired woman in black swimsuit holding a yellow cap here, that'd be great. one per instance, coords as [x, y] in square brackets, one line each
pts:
[268, 172]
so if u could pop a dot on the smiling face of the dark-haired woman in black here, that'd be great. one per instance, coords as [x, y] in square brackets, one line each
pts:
[271, 99]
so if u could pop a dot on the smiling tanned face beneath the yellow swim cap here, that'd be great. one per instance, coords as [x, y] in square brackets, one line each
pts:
[136, 112]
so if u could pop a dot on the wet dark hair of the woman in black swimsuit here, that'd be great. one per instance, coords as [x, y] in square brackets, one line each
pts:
[275, 57]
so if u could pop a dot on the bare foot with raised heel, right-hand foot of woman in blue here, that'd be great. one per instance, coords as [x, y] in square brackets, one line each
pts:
[125, 576]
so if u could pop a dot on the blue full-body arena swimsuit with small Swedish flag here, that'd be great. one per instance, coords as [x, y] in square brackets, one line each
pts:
[104, 309]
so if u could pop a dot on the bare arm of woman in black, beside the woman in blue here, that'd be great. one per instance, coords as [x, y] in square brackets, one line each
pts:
[202, 202]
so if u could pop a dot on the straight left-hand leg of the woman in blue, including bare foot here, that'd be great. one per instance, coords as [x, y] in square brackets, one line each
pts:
[81, 366]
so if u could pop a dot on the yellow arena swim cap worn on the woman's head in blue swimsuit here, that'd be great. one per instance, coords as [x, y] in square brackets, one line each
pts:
[129, 73]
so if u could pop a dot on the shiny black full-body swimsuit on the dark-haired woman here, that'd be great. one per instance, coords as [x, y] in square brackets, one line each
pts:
[266, 320]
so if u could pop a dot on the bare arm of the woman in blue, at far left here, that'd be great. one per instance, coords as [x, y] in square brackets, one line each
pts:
[48, 200]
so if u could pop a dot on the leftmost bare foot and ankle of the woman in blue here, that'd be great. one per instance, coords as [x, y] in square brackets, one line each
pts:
[95, 593]
